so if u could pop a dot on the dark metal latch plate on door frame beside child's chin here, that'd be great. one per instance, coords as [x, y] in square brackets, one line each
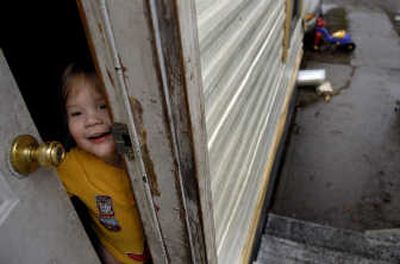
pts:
[122, 140]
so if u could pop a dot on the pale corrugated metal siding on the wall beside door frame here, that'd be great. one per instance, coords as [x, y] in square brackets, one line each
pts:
[245, 84]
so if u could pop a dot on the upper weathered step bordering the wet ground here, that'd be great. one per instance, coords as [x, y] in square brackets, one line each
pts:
[331, 238]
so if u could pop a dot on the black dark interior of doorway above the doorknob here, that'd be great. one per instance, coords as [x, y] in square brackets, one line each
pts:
[39, 38]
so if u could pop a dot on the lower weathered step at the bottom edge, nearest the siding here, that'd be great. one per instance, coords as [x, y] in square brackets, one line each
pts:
[275, 250]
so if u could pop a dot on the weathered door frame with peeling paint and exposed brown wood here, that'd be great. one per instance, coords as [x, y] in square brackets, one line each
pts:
[147, 55]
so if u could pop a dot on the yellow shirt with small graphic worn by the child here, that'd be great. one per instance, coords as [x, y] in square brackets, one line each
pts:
[106, 192]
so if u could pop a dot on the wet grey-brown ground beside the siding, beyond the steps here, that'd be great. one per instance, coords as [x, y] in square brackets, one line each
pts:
[342, 163]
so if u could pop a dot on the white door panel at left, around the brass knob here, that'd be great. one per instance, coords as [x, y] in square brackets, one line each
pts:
[37, 222]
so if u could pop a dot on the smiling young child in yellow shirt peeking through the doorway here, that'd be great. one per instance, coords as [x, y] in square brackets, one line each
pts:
[93, 173]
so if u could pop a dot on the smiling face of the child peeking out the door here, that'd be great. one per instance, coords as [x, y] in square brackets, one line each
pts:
[89, 120]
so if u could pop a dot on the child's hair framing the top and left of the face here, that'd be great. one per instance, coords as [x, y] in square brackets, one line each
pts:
[71, 72]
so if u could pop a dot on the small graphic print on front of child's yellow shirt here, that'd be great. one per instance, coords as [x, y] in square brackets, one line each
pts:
[106, 213]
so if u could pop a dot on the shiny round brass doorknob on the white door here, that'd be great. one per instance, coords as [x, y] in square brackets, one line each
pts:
[27, 155]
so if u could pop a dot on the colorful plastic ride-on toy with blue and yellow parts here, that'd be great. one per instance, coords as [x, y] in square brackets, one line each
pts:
[340, 39]
